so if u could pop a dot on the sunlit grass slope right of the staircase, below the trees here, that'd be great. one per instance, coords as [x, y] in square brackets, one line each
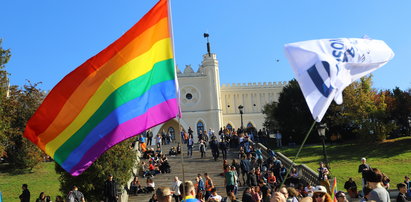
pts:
[392, 157]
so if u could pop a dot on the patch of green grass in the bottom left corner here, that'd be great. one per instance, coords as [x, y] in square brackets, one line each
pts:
[42, 179]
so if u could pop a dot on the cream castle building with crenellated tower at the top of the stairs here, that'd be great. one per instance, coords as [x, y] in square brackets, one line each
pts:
[206, 104]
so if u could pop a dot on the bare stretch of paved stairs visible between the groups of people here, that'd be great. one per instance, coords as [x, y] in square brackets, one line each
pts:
[192, 166]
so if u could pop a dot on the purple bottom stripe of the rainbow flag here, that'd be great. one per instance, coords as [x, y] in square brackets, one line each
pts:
[154, 116]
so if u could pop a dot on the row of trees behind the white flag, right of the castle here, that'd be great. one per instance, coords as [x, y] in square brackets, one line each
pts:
[366, 114]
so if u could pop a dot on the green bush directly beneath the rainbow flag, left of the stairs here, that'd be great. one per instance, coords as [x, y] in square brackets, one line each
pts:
[119, 161]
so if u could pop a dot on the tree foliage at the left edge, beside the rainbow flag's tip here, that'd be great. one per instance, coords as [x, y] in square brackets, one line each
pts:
[16, 107]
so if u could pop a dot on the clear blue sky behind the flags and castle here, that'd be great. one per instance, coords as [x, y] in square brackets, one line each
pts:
[49, 38]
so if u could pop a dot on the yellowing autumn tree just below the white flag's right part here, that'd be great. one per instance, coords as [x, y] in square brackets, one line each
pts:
[363, 113]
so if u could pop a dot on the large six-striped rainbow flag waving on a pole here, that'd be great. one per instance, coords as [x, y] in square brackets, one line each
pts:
[125, 89]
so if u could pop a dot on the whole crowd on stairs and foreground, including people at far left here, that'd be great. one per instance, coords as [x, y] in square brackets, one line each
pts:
[261, 177]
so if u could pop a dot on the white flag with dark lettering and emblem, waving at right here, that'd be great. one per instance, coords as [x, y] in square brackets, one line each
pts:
[323, 68]
